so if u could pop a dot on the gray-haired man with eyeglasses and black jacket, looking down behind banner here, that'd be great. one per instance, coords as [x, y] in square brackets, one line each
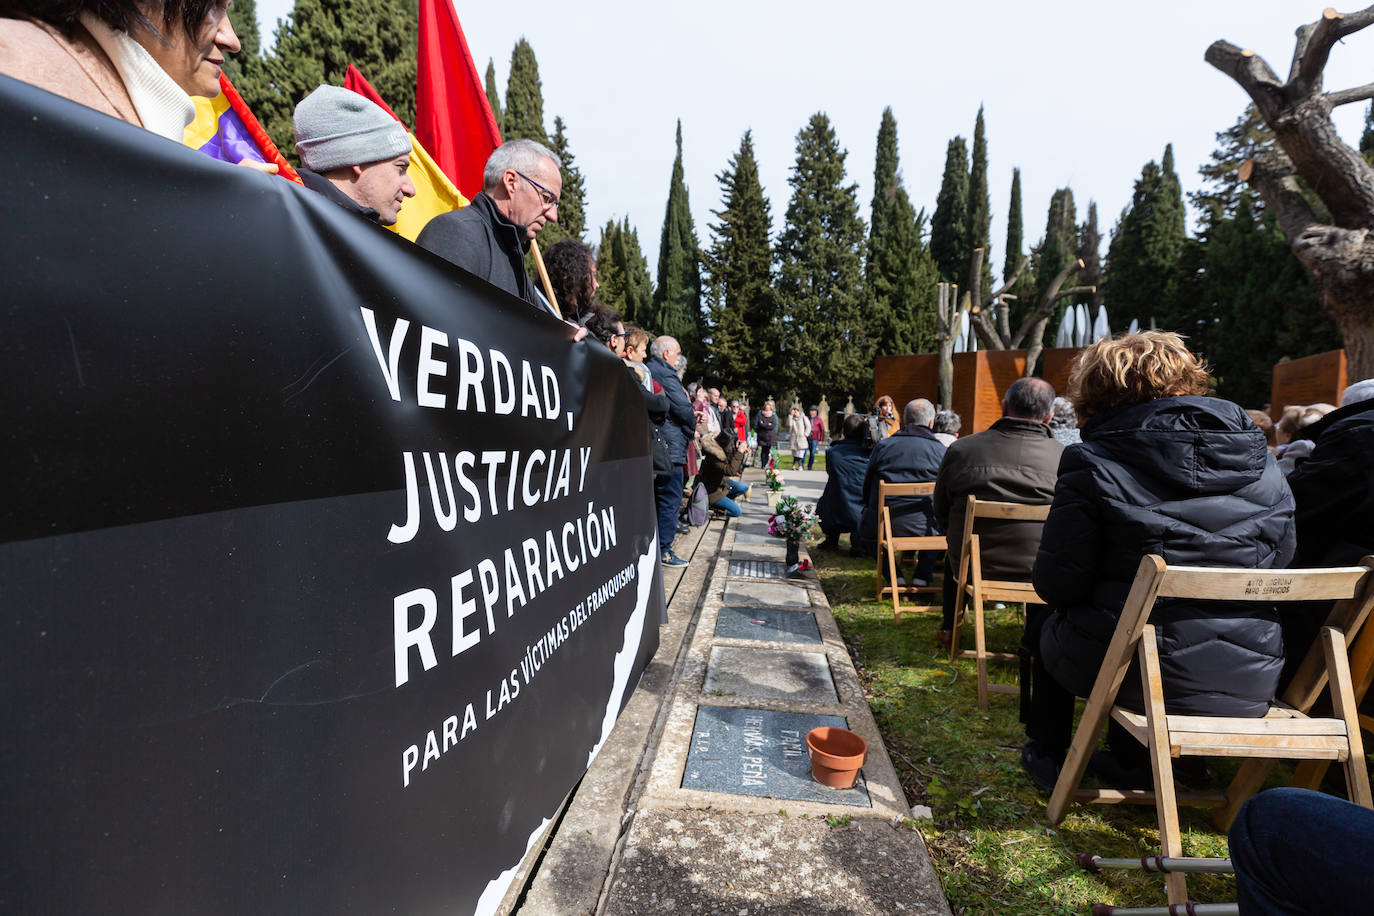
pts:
[490, 237]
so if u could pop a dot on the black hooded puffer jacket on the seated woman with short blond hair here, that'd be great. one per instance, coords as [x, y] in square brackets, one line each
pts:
[1188, 479]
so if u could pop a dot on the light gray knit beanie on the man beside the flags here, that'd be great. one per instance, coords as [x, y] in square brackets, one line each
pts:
[337, 127]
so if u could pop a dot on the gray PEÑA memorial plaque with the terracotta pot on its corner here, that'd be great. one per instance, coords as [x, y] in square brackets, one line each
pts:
[762, 753]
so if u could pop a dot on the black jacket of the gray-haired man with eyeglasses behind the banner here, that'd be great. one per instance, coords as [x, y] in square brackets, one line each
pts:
[480, 240]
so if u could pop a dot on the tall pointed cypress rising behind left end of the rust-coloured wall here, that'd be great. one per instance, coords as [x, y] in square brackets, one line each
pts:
[899, 273]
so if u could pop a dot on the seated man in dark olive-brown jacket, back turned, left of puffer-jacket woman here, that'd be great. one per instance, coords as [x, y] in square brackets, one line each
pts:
[1017, 461]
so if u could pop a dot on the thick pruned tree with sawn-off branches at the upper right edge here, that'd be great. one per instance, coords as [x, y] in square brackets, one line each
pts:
[1340, 252]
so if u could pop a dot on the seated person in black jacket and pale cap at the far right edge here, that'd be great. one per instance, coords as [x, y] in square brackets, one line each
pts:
[1333, 491]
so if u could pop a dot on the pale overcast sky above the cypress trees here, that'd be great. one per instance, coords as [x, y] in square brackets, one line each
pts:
[1075, 94]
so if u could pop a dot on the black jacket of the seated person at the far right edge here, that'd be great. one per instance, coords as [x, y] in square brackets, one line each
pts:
[1335, 490]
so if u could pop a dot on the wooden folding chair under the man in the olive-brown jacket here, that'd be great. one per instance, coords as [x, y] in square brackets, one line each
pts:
[975, 591]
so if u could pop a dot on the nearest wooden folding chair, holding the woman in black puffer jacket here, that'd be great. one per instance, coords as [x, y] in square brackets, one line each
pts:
[1285, 733]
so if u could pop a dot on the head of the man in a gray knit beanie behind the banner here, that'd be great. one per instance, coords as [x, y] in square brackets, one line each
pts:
[354, 153]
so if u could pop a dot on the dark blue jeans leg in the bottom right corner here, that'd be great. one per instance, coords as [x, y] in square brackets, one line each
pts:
[1300, 854]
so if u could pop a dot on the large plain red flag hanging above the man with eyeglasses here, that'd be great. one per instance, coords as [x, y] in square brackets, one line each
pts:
[453, 117]
